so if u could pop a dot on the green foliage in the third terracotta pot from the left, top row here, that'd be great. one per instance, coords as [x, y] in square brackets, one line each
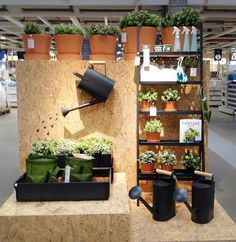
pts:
[101, 29]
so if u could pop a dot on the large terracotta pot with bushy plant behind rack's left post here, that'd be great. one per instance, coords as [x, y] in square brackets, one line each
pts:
[148, 29]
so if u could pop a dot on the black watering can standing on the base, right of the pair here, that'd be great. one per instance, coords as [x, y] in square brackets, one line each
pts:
[203, 193]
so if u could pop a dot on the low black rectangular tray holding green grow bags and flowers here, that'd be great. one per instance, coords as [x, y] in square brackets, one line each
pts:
[73, 191]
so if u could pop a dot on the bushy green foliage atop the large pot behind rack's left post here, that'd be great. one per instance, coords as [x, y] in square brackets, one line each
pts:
[141, 18]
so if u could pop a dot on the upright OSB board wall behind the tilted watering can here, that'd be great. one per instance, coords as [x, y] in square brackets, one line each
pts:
[43, 87]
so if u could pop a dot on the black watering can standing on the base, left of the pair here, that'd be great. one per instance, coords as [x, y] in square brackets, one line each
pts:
[163, 202]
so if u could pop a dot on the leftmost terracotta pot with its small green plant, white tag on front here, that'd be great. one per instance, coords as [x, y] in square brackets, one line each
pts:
[36, 44]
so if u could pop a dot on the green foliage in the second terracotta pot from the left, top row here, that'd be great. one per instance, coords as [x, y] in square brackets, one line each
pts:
[67, 29]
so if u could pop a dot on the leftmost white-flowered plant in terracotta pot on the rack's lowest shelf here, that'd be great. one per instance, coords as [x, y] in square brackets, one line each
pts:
[147, 160]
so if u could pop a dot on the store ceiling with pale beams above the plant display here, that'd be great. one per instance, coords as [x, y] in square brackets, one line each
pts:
[219, 16]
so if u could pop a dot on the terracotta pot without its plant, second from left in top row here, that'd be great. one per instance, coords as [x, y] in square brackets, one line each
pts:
[67, 44]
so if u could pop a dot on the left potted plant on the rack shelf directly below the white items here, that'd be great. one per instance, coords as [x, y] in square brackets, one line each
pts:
[146, 98]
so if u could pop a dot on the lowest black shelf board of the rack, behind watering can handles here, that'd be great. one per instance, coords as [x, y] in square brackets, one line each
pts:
[181, 174]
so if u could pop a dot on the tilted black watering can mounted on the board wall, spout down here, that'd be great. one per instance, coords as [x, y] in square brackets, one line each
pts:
[96, 84]
